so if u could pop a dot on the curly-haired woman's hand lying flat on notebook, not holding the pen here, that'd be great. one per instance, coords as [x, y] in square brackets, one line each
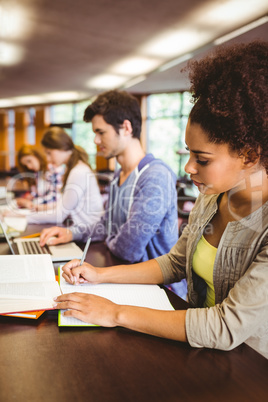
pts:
[88, 308]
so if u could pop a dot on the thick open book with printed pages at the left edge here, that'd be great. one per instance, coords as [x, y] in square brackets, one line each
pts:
[27, 284]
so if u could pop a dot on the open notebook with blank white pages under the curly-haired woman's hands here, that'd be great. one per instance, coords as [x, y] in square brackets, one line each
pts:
[151, 296]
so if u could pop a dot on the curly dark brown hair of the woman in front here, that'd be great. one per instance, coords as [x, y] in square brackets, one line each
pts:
[229, 90]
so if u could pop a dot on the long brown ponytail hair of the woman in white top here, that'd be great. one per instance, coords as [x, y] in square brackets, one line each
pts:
[57, 138]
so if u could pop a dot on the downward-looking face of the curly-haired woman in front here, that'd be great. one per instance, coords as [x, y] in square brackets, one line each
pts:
[212, 167]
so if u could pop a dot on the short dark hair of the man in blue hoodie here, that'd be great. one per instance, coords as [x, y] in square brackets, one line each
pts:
[115, 107]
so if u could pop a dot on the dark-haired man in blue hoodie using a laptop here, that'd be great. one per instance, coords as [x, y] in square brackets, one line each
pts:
[141, 221]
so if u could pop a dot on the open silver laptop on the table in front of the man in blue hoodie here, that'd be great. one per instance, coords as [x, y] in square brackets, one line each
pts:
[61, 252]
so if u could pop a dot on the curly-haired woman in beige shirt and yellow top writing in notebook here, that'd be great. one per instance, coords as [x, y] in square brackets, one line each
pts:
[223, 251]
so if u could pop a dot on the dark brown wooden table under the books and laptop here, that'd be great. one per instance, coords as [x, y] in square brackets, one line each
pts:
[42, 362]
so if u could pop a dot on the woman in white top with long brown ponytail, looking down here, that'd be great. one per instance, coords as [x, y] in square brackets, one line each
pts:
[80, 200]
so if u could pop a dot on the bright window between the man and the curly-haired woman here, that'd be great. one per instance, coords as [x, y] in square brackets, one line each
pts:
[166, 123]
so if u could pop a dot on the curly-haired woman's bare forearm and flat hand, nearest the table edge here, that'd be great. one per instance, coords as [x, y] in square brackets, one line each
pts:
[97, 310]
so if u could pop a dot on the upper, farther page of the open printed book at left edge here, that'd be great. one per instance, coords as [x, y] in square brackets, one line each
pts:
[26, 268]
